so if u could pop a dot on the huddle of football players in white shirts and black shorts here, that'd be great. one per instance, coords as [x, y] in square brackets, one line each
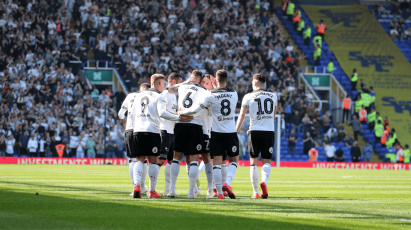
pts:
[196, 118]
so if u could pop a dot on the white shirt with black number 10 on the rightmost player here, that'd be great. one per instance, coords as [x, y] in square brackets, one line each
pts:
[261, 105]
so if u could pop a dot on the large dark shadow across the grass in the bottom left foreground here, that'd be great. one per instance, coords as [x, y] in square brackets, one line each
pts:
[21, 209]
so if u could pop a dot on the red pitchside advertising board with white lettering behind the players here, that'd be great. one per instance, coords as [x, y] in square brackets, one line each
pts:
[116, 161]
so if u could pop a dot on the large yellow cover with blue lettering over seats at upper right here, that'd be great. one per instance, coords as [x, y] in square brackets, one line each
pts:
[359, 41]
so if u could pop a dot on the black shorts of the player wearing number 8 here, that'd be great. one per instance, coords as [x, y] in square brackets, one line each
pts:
[224, 144]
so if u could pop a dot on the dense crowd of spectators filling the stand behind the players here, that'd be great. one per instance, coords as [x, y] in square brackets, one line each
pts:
[46, 99]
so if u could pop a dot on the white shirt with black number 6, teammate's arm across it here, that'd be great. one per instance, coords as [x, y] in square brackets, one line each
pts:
[191, 94]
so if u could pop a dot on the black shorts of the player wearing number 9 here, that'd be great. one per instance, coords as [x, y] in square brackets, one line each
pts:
[147, 144]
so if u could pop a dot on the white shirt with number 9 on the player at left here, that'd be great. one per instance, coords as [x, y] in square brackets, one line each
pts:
[145, 111]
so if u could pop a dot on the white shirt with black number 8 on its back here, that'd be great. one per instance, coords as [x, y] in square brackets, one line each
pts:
[223, 102]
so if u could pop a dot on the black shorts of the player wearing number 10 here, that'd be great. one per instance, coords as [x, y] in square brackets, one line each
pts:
[261, 142]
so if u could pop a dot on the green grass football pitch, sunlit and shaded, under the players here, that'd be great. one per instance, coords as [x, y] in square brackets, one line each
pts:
[97, 197]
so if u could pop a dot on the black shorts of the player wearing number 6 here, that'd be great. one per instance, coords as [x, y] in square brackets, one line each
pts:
[188, 138]
